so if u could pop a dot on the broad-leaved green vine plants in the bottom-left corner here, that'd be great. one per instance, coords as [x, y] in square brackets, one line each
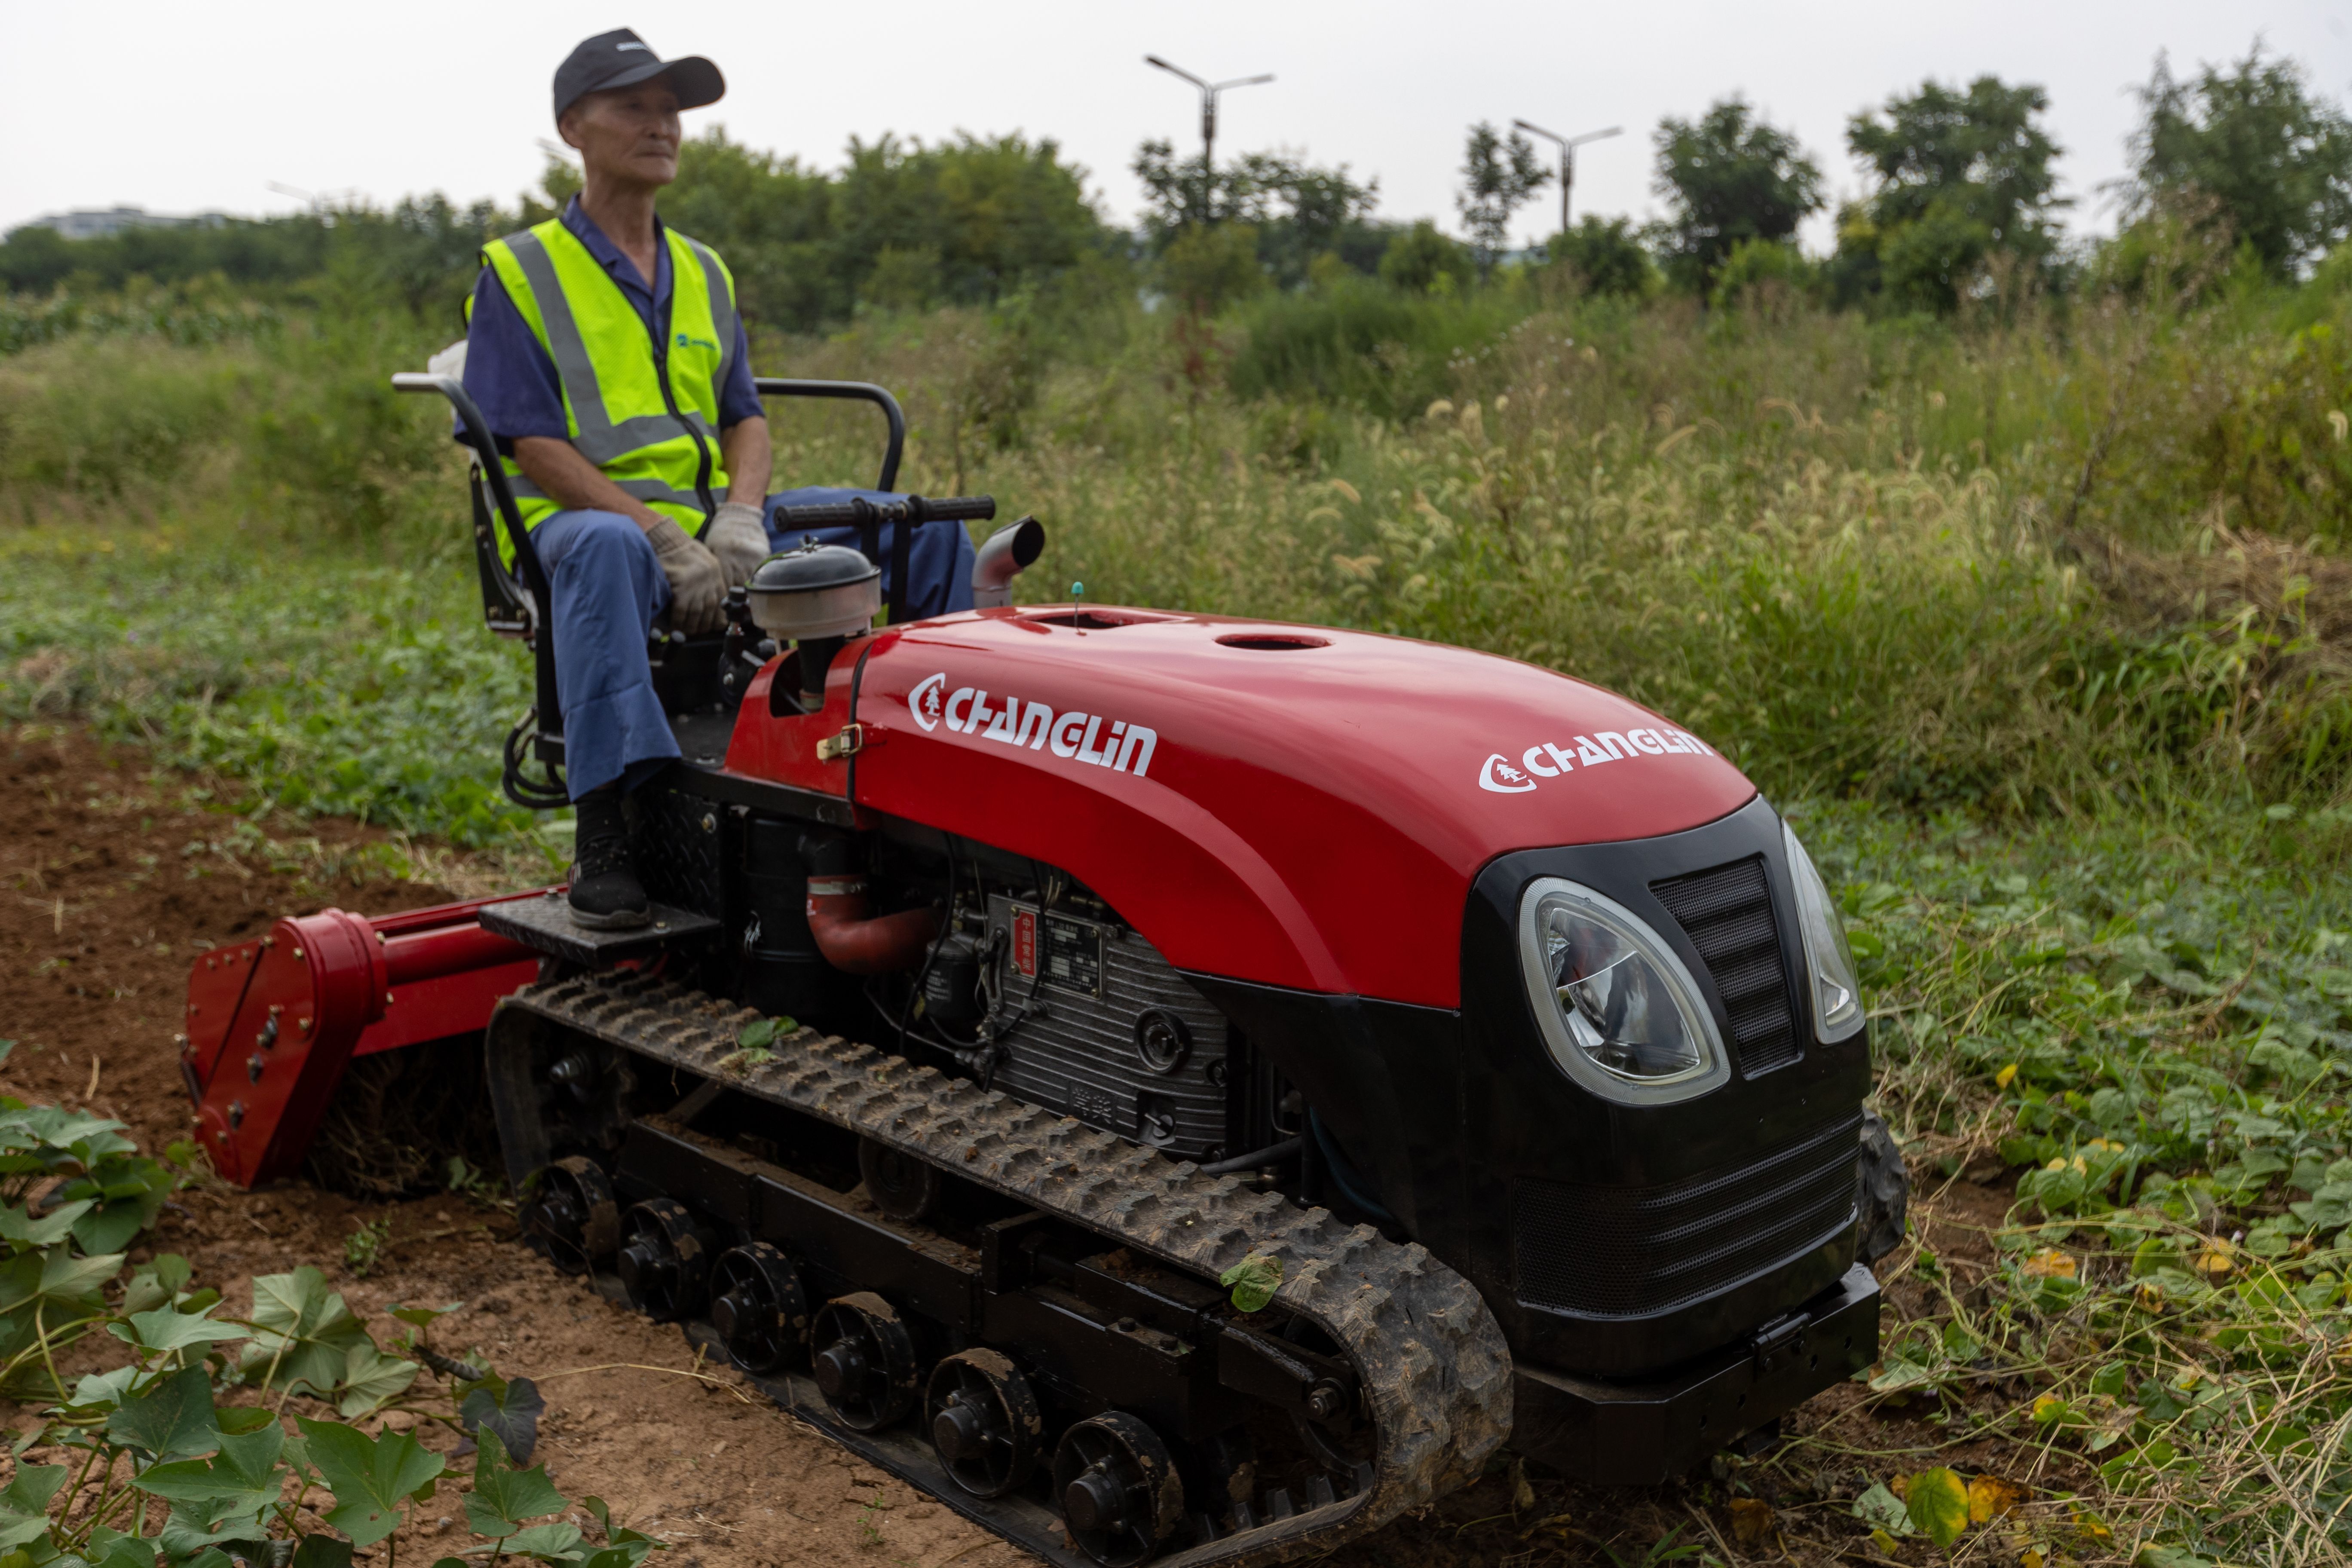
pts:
[178, 1454]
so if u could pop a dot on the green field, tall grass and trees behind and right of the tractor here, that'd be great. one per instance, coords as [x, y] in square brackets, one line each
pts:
[2014, 572]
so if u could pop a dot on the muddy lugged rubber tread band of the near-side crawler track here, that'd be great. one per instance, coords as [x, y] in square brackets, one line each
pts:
[1431, 1358]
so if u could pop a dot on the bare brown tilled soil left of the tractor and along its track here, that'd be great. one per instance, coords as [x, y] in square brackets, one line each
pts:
[112, 878]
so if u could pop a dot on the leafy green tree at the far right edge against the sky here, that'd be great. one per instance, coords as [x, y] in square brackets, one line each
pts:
[2273, 159]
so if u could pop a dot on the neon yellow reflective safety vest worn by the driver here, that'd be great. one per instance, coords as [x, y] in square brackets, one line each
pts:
[620, 387]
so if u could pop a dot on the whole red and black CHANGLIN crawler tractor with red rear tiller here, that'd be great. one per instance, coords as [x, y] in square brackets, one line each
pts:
[1499, 1024]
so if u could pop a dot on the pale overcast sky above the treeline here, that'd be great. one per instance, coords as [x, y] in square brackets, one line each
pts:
[206, 107]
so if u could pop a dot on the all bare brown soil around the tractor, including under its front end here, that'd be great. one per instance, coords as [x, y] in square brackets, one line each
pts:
[114, 876]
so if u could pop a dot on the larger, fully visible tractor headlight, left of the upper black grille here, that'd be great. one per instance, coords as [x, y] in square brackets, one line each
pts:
[1617, 1007]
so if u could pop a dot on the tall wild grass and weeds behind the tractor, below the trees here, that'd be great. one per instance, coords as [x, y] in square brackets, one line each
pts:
[1904, 563]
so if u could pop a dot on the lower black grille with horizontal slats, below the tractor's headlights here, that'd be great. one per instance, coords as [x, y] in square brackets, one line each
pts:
[1631, 1252]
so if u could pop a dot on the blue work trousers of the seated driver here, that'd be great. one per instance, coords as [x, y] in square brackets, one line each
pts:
[608, 591]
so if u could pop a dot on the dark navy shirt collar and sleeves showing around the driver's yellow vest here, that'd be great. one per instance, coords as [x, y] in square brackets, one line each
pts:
[514, 380]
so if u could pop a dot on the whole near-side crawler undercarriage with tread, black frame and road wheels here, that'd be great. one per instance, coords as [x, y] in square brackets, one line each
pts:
[1417, 1351]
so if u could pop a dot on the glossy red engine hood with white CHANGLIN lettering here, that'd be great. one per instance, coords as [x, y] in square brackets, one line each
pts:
[1288, 805]
